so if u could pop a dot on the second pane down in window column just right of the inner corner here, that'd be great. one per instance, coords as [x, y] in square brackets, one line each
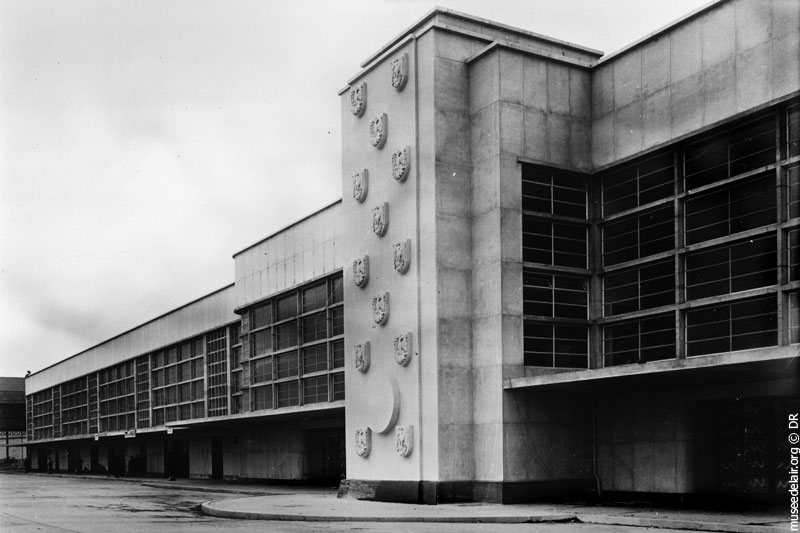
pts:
[639, 235]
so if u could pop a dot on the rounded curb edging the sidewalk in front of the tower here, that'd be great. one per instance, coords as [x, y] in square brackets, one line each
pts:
[610, 520]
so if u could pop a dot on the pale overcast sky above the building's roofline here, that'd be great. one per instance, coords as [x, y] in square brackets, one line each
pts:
[143, 142]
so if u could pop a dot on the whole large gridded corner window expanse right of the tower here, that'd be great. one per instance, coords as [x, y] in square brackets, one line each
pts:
[697, 245]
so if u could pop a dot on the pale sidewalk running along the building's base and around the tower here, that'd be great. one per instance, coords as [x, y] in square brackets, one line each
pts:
[320, 504]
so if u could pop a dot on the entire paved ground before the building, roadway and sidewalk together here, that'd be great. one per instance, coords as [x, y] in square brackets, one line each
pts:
[42, 502]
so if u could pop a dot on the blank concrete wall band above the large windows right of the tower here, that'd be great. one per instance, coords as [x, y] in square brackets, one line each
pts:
[731, 58]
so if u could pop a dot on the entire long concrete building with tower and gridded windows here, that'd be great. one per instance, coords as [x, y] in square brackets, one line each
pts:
[551, 272]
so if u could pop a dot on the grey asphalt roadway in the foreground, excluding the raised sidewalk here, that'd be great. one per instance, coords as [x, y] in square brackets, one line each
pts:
[50, 504]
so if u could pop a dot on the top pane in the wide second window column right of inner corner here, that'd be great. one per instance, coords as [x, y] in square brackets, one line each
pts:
[728, 154]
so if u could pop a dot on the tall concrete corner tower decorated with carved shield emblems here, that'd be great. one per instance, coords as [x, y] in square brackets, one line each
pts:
[433, 272]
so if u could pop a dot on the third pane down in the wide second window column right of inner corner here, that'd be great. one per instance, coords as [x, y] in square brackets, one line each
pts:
[740, 266]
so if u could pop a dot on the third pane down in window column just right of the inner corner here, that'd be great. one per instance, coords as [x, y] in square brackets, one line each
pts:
[640, 288]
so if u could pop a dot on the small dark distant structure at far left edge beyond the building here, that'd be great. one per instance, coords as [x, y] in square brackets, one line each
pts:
[12, 421]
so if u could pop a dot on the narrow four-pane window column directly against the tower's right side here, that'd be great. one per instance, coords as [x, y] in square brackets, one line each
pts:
[555, 278]
